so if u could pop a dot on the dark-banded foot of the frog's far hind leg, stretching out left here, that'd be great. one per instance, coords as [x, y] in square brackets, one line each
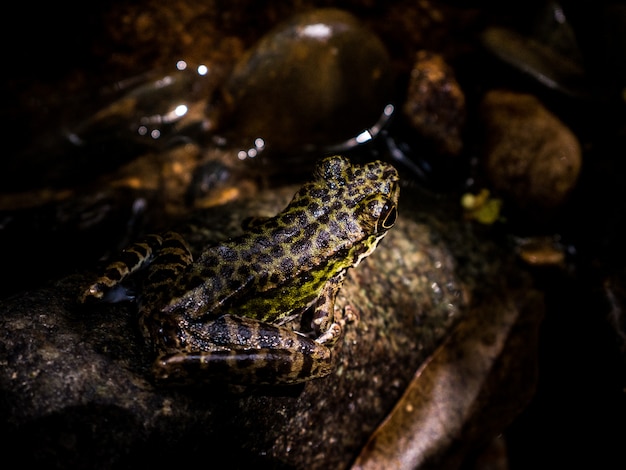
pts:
[129, 261]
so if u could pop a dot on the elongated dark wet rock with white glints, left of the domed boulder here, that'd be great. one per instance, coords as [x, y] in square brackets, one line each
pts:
[142, 114]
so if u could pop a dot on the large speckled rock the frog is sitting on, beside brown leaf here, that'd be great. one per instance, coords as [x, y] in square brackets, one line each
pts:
[76, 389]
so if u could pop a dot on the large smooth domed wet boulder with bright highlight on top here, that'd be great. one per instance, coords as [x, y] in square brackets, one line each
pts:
[319, 78]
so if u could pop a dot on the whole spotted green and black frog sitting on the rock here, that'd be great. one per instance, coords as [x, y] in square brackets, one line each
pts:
[224, 316]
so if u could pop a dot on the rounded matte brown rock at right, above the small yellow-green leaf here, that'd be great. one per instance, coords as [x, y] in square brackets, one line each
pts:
[531, 157]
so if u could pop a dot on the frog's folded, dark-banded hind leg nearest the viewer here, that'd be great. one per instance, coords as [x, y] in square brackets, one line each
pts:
[245, 351]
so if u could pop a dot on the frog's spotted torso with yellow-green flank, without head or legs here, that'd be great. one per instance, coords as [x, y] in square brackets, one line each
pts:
[276, 267]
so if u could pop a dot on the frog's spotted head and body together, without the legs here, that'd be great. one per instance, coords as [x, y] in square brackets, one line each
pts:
[280, 265]
